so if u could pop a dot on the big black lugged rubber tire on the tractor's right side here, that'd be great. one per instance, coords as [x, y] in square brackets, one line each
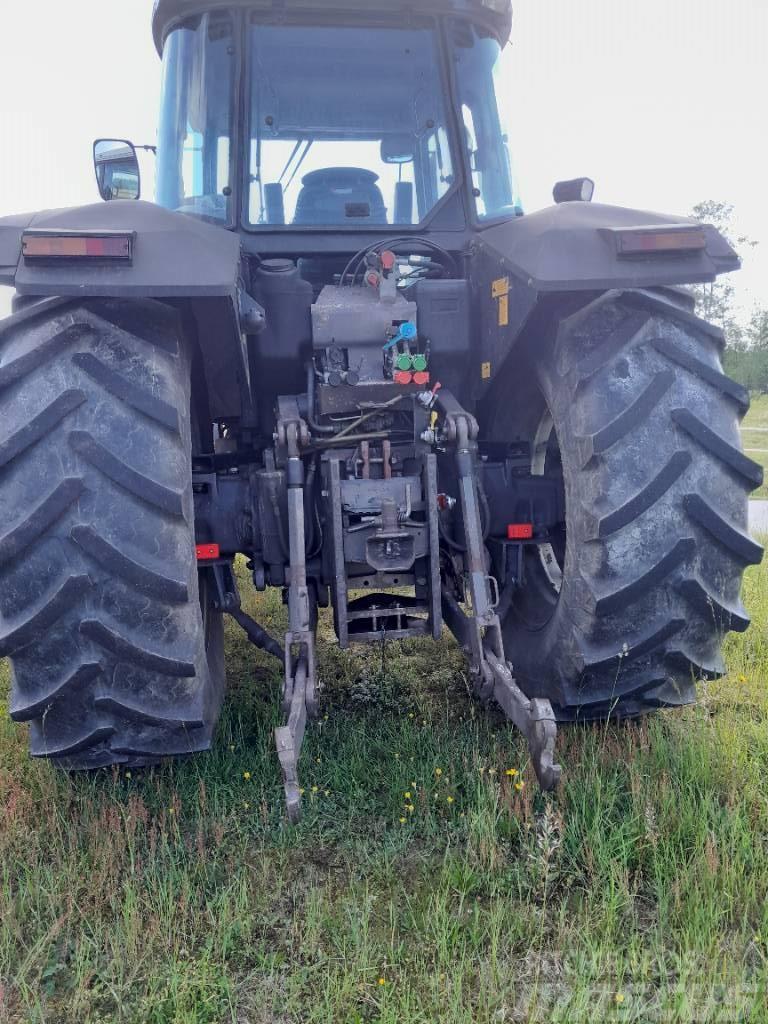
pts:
[657, 507]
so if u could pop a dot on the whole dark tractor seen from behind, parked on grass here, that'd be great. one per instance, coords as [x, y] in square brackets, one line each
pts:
[336, 346]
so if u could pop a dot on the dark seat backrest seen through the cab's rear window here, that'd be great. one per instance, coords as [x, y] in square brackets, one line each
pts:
[340, 196]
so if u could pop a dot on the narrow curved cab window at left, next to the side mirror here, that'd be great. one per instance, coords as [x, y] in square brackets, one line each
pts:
[195, 135]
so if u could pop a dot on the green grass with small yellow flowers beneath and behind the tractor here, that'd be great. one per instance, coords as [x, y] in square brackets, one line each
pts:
[639, 892]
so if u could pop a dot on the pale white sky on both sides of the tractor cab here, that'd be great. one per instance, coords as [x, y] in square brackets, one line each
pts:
[664, 103]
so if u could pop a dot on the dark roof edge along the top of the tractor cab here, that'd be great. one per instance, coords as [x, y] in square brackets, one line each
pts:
[496, 14]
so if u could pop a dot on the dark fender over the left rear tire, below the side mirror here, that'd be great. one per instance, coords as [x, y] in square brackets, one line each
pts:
[178, 259]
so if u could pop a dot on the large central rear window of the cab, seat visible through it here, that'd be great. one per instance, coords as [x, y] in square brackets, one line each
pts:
[349, 126]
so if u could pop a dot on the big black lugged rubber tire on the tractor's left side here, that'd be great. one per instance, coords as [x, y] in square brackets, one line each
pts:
[115, 658]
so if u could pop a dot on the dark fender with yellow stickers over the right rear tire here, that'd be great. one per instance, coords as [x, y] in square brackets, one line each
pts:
[566, 255]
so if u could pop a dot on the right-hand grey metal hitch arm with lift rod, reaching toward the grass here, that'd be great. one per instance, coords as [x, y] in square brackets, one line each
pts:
[480, 633]
